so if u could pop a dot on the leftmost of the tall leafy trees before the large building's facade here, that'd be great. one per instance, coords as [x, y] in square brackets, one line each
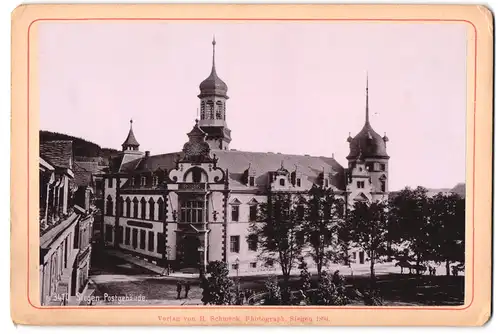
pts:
[279, 230]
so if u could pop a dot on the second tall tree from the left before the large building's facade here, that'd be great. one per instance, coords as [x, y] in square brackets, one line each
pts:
[323, 213]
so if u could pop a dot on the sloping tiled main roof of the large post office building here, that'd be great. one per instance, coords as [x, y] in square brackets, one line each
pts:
[309, 168]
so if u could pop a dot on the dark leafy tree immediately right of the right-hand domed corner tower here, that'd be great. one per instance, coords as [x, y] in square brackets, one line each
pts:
[410, 222]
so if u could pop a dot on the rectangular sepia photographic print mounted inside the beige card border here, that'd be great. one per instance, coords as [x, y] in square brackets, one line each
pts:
[201, 163]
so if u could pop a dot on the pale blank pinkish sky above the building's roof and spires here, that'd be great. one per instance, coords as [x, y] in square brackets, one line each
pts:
[294, 88]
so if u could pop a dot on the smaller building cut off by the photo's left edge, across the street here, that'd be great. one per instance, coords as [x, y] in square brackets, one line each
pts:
[66, 219]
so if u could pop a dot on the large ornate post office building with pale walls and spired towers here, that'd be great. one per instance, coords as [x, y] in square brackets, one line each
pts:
[195, 206]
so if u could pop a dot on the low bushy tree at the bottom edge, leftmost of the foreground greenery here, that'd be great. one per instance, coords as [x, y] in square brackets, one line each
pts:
[217, 287]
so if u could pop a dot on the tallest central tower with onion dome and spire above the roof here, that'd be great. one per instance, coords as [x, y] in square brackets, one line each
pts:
[213, 98]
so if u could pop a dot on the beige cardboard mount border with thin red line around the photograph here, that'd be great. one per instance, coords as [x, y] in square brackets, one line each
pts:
[24, 246]
